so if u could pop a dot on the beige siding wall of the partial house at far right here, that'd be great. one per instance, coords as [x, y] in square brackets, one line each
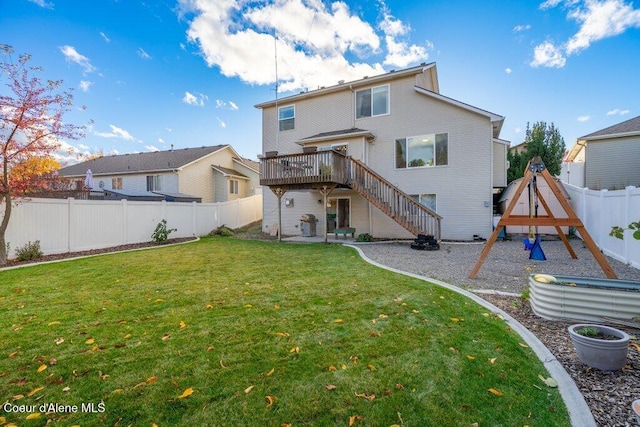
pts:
[613, 164]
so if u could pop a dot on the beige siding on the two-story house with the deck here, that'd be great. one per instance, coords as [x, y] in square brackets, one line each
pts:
[463, 187]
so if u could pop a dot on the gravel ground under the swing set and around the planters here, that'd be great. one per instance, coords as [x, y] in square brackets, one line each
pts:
[506, 269]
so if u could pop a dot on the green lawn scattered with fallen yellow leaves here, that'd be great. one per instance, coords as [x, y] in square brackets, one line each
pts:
[235, 332]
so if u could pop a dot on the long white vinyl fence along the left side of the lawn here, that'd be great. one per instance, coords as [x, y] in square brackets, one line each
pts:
[69, 225]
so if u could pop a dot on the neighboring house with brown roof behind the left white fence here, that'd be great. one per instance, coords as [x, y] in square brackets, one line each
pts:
[201, 174]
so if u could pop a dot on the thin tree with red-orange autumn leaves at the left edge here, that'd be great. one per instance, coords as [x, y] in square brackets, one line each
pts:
[31, 126]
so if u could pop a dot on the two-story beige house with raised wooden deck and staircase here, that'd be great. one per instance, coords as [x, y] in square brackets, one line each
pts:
[393, 157]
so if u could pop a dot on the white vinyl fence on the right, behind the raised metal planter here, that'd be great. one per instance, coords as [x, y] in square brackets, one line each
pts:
[601, 210]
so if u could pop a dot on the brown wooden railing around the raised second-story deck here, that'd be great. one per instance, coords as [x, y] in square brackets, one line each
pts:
[304, 168]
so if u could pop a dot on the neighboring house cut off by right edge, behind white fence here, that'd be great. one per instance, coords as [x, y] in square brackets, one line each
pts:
[610, 157]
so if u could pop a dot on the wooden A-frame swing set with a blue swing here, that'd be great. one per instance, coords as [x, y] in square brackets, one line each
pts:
[535, 169]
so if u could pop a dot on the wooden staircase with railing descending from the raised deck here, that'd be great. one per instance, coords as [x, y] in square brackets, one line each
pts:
[399, 206]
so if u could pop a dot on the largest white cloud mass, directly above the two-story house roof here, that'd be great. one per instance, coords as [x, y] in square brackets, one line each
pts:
[318, 43]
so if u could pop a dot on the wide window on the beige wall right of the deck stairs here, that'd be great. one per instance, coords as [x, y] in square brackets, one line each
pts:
[422, 151]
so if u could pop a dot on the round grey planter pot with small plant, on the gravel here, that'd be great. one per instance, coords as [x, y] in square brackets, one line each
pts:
[607, 355]
